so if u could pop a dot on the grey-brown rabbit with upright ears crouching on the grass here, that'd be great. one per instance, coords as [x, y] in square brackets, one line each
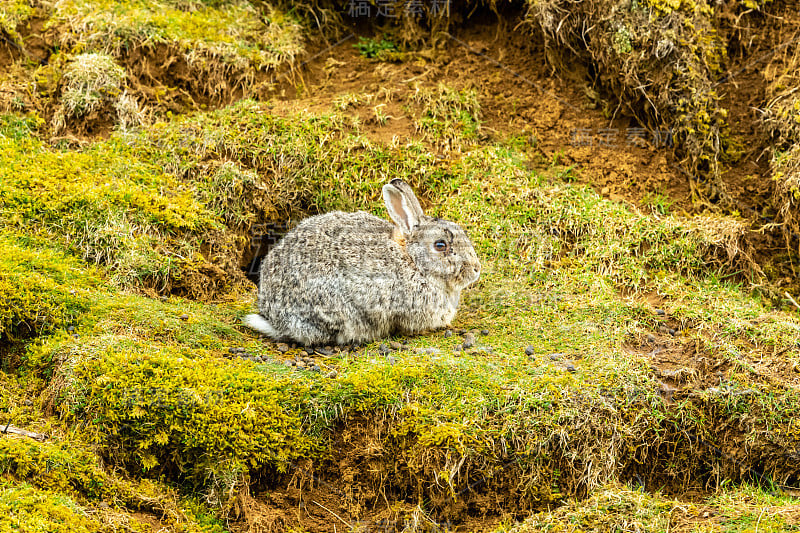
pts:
[350, 278]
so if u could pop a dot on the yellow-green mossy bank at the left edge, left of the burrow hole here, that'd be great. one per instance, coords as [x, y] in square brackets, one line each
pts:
[109, 207]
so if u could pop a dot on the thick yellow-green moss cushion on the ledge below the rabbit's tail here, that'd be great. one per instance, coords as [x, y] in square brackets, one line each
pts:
[177, 411]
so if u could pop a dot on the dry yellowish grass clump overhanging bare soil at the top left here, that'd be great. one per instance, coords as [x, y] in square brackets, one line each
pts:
[225, 47]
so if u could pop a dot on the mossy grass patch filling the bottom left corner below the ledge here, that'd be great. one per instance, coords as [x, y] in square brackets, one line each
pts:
[61, 487]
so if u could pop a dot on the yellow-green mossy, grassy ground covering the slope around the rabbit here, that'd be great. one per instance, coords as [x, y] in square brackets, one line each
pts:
[653, 362]
